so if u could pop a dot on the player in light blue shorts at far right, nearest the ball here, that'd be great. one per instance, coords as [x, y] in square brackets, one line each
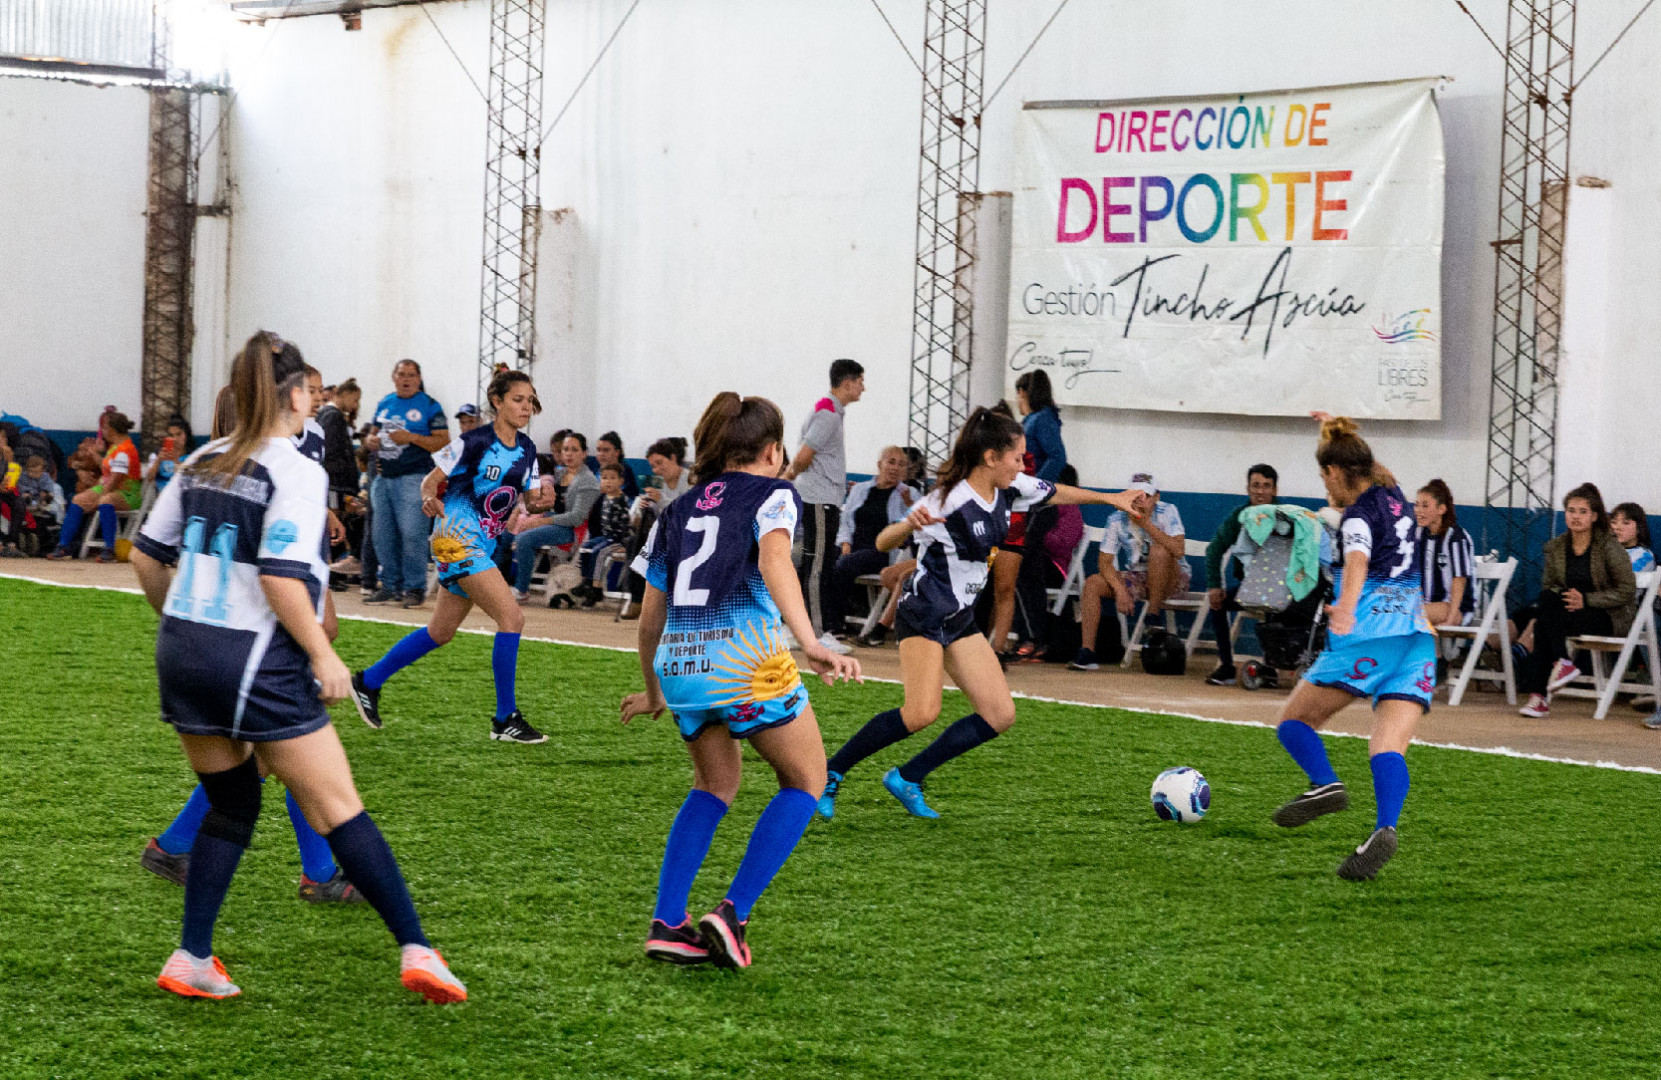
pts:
[1379, 647]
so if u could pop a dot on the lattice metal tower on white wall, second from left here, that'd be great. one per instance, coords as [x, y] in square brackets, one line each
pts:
[507, 323]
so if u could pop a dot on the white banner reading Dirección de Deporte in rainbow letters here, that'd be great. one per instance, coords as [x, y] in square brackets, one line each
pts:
[1262, 255]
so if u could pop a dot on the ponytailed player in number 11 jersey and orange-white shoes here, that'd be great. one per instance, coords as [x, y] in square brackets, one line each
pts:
[247, 669]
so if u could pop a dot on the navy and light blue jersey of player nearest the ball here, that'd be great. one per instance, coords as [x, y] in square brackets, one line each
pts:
[1381, 526]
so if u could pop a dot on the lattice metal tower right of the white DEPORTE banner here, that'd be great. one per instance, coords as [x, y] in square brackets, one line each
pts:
[1529, 278]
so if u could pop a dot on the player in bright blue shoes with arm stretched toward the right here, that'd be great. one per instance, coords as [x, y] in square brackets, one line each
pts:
[959, 526]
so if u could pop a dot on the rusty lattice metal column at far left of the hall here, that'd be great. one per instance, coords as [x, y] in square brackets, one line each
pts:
[170, 237]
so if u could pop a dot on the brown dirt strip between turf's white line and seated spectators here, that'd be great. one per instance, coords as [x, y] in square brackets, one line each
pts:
[1484, 722]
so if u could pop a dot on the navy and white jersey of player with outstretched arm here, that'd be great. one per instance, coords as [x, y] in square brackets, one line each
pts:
[954, 556]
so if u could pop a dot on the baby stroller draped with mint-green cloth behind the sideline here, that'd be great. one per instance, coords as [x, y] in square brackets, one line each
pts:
[1291, 629]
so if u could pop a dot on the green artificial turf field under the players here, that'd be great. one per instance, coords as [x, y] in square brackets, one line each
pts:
[1047, 926]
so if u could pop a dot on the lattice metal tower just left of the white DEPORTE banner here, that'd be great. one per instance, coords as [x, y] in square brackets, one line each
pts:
[949, 170]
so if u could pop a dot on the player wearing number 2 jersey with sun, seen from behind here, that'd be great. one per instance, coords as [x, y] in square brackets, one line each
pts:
[720, 592]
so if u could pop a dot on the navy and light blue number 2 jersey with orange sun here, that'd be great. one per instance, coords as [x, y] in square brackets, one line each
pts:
[723, 644]
